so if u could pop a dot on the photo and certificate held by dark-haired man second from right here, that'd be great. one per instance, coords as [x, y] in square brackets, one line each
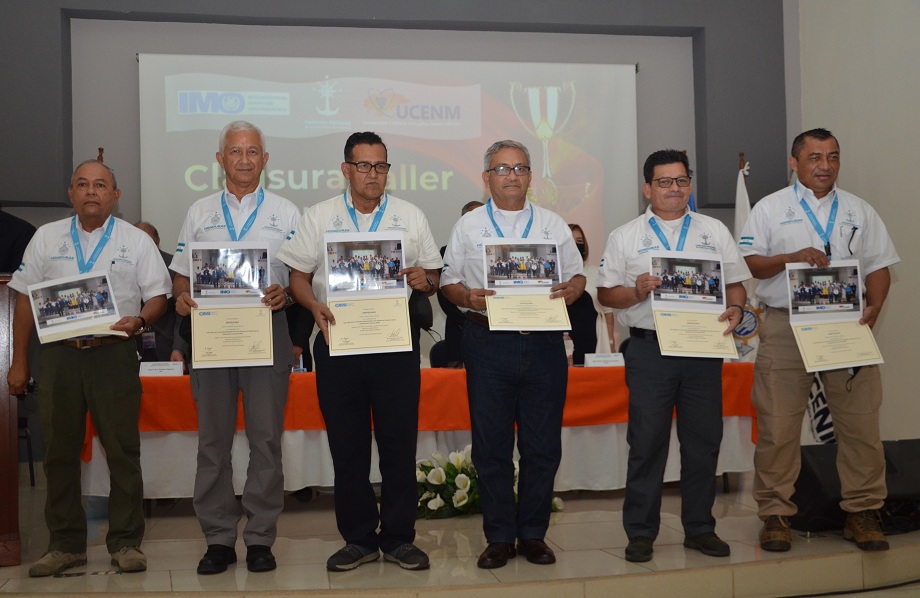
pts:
[687, 305]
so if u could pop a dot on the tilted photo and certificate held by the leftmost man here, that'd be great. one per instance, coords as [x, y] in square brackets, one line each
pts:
[73, 306]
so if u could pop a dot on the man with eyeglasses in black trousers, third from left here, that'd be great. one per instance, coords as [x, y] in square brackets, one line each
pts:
[351, 391]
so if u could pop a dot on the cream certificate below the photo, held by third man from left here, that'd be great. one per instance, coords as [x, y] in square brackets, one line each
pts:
[370, 325]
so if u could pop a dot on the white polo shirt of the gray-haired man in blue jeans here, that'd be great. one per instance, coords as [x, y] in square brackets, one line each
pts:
[463, 258]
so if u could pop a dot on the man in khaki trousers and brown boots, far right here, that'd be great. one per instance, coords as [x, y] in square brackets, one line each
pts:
[814, 221]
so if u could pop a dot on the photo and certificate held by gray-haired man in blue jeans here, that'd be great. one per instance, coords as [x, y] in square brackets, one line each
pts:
[522, 273]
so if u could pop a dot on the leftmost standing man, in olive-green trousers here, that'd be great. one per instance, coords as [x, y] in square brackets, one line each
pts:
[98, 374]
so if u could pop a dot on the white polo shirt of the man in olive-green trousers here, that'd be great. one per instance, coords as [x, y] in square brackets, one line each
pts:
[135, 269]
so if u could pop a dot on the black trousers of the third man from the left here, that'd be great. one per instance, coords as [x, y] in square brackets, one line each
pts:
[353, 390]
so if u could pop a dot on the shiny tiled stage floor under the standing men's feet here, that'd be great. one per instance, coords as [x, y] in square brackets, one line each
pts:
[587, 536]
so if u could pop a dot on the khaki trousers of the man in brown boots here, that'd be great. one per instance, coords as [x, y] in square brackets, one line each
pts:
[781, 387]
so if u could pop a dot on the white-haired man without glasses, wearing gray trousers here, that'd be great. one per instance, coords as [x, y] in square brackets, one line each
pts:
[243, 211]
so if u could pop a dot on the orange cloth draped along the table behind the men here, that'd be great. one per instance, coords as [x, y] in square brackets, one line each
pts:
[595, 396]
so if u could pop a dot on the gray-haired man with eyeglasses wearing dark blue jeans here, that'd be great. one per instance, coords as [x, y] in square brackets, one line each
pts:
[512, 378]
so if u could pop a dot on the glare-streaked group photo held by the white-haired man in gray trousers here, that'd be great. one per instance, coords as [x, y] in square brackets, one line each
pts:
[229, 273]
